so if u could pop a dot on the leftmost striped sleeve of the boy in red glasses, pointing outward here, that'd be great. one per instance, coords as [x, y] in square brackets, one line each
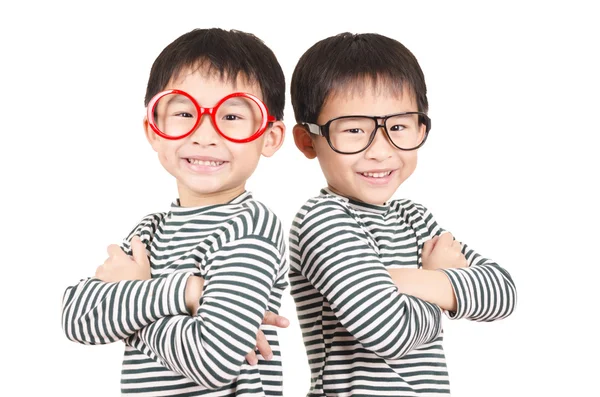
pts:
[97, 312]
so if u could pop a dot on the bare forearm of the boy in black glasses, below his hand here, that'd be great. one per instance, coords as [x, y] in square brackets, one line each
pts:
[429, 285]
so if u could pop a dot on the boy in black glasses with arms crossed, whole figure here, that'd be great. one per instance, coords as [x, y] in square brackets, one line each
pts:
[370, 276]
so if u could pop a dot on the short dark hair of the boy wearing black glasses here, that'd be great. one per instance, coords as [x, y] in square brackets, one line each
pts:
[349, 61]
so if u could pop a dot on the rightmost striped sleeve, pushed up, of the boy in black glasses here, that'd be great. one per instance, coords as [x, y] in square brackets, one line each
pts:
[484, 290]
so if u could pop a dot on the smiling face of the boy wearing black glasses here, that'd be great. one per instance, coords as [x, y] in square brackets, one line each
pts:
[373, 175]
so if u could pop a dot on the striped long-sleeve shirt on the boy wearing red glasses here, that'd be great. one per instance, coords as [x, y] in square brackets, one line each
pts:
[239, 249]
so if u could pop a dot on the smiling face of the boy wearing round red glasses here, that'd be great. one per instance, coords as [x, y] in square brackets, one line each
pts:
[210, 169]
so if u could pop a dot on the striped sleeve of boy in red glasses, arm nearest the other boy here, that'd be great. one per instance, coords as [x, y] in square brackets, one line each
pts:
[210, 347]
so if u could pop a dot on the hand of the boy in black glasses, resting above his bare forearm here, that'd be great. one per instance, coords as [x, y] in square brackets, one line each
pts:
[442, 252]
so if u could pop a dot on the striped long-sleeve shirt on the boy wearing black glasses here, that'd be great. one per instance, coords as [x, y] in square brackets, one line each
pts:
[363, 337]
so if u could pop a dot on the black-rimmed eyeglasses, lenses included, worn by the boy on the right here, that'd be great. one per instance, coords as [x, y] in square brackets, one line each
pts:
[353, 134]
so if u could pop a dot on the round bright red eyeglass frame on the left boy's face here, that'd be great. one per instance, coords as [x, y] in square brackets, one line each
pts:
[266, 117]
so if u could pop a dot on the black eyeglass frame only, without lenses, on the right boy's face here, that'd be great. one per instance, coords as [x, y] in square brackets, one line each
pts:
[323, 130]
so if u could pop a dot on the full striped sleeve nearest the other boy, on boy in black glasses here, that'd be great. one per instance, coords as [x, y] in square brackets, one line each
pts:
[335, 256]
